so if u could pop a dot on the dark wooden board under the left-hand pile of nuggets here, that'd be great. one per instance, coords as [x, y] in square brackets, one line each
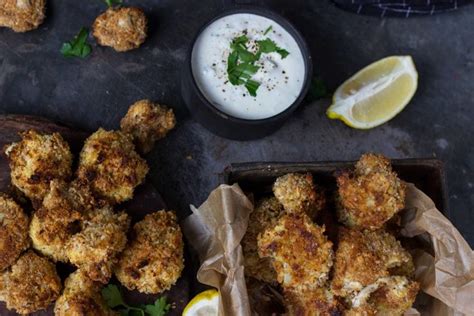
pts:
[147, 199]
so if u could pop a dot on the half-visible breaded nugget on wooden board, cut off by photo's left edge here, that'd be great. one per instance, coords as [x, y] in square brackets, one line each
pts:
[13, 231]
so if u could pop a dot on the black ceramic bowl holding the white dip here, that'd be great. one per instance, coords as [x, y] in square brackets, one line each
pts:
[223, 124]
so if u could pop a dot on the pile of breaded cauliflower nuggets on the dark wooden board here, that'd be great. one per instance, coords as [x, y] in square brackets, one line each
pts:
[74, 220]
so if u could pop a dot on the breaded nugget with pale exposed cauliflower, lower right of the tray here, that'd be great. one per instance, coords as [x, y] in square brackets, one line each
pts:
[388, 296]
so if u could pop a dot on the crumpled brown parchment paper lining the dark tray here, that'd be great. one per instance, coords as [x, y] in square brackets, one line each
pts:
[444, 268]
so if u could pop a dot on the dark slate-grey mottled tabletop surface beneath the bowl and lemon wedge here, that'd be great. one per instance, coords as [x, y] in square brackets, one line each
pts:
[36, 79]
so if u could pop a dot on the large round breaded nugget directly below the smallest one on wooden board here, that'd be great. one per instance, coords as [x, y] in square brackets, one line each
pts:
[109, 162]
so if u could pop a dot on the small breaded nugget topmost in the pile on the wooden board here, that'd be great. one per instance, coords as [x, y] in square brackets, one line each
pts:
[147, 122]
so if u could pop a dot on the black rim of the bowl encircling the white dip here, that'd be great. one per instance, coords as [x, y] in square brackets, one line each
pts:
[291, 29]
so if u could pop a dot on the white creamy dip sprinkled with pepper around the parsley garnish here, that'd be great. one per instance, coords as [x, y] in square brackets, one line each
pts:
[280, 79]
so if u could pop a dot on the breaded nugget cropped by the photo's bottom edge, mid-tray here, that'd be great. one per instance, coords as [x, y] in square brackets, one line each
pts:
[317, 302]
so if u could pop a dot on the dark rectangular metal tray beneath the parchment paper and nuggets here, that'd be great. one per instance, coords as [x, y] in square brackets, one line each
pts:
[257, 177]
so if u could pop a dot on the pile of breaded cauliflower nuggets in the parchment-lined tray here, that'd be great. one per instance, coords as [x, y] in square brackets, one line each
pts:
[365, 272]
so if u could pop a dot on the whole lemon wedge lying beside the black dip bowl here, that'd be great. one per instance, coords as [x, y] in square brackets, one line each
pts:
[376, 93]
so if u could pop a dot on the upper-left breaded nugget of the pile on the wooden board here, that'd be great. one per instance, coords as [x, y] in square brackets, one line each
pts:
[36, 160]
